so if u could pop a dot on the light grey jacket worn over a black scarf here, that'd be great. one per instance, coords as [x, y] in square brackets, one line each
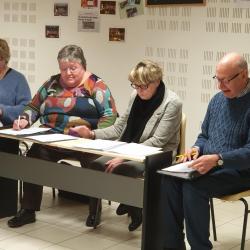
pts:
[162, 129]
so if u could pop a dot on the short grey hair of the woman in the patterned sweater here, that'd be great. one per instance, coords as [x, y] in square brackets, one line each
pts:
[72, 53]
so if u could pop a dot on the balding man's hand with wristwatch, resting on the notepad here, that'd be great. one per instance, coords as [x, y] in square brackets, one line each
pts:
[205, 163]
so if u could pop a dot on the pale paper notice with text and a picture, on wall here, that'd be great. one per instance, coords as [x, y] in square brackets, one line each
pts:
[89, 21]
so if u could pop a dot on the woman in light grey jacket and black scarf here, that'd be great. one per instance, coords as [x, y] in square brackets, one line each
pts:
[152, 118]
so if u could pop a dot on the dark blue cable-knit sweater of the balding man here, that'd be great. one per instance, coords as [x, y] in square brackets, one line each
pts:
[226, 130]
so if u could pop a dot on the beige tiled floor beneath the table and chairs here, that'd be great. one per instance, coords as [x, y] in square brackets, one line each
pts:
[60, 226]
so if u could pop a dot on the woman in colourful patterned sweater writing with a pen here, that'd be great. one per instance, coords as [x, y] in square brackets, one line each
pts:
[72, 98]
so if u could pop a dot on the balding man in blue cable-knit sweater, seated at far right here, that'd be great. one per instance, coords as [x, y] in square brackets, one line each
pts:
[221, 154]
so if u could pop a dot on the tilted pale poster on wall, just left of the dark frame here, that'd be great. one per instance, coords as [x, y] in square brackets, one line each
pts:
[130, 8]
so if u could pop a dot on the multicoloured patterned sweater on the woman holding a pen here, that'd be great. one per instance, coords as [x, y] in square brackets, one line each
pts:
[89, 104]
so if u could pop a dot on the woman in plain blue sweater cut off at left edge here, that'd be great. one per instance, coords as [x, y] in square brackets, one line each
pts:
[14, 95]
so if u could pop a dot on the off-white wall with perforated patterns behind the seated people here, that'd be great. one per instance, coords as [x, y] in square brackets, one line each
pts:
[186, 40]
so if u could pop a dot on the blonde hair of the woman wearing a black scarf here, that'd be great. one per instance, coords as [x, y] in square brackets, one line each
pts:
[145, 72]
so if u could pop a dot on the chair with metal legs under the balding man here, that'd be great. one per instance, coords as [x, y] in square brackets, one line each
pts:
[234, 197]
